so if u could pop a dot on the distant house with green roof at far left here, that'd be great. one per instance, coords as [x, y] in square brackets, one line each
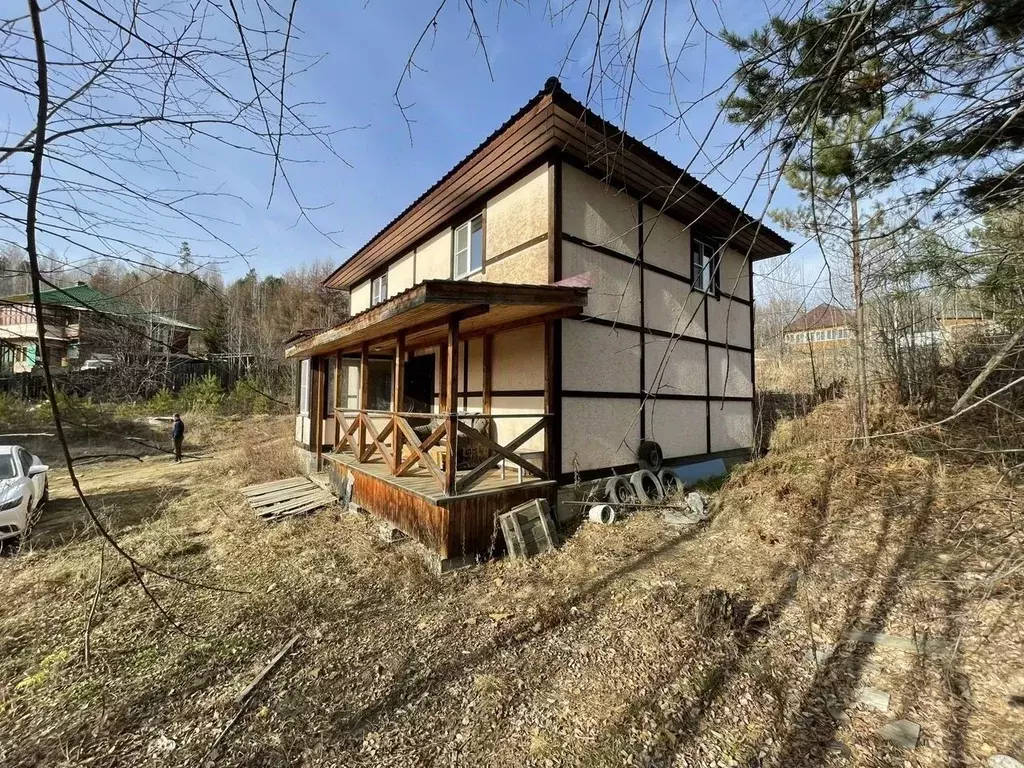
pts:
[84, 329]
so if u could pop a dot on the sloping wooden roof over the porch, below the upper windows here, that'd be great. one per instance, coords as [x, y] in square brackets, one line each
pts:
[422, 313]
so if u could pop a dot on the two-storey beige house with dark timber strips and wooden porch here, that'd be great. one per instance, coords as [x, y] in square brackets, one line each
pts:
[524, 324]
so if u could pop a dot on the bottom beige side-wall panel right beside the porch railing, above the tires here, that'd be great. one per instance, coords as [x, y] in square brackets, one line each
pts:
[593, 431]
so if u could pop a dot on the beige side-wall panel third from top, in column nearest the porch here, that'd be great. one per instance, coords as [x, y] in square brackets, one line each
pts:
[600, 359]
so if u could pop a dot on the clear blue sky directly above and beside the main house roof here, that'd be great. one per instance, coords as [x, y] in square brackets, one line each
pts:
[455, 105]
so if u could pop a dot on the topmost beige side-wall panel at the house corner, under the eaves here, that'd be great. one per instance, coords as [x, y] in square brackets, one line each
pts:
[599, 214]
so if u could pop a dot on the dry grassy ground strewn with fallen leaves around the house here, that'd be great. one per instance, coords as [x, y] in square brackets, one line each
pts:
[635, 645]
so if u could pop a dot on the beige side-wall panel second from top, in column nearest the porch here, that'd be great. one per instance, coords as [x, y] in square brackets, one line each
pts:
[615, 289]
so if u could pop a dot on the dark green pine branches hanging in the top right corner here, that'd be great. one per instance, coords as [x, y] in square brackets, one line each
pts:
[955, 66]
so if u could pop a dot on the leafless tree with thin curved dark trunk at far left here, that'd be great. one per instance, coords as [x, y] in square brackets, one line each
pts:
[122, 100]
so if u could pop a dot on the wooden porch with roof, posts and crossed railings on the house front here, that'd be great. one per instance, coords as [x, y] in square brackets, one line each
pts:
[413, 428]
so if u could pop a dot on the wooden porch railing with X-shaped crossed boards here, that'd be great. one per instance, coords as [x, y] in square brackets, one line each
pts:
[358, 435]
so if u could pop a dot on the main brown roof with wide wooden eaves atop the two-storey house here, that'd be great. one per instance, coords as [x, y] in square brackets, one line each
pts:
[554, 123]
